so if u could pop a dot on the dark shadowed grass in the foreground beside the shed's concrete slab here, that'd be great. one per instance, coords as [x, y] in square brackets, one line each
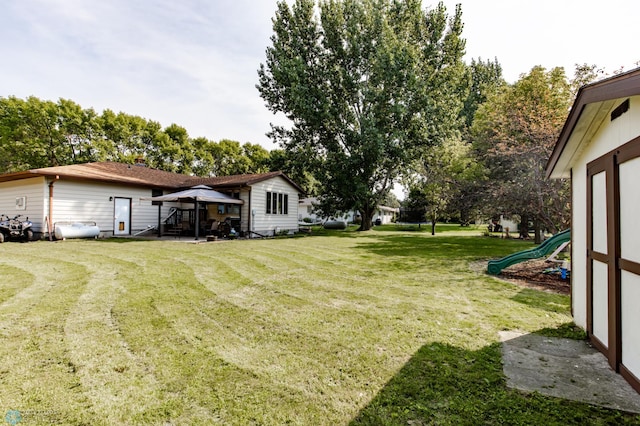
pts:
[443, 384]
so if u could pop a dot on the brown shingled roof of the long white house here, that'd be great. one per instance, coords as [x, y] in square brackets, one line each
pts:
[142, 176]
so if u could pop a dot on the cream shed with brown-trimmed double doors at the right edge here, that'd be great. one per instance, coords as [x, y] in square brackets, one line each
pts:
[599, 149]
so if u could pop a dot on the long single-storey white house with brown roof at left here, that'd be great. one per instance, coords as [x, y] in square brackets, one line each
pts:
[112, 195]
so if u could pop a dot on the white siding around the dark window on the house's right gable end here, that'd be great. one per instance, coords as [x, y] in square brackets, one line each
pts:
[266, 224]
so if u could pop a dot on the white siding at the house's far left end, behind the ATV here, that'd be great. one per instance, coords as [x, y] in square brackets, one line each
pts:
[34, 191]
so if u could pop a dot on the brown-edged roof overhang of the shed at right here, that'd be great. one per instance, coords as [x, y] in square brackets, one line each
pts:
[592, 105]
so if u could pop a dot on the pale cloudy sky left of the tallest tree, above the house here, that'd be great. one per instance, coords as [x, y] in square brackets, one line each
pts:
[190, 62]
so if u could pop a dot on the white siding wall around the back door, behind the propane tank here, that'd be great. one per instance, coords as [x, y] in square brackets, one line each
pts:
[91, 201]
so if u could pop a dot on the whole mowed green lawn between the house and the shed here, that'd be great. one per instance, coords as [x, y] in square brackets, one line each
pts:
[389, 326]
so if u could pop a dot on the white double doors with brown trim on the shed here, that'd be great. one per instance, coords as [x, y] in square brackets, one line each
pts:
[613, 254]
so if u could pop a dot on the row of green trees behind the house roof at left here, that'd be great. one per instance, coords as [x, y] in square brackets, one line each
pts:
[36, 133]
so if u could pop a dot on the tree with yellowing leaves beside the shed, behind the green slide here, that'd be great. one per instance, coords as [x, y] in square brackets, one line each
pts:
[515, 132]
